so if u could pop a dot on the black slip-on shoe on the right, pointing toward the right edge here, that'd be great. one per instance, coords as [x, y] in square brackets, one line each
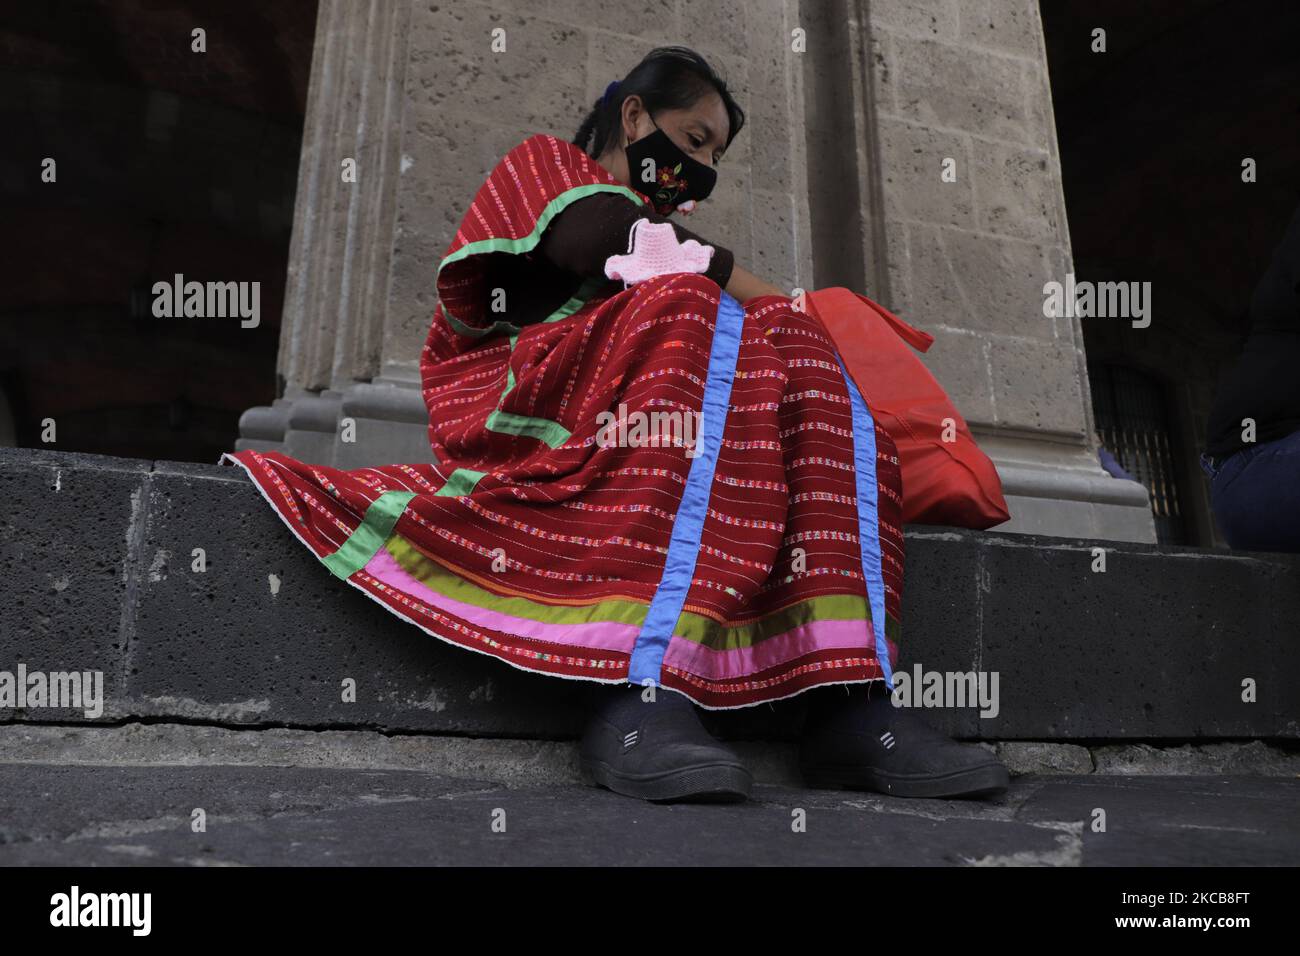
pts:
[855, 742]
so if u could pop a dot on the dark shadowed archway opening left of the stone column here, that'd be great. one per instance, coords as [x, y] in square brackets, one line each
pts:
[132, 157]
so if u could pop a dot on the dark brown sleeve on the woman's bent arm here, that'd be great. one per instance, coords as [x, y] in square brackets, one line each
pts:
[597, 227]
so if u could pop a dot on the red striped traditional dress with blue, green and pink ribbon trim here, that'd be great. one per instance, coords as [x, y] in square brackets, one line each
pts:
[538, 543]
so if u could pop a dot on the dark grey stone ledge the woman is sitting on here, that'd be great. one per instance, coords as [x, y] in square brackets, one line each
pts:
[96, 576]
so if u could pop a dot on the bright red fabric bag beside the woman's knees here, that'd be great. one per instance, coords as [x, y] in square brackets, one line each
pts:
[943, 482]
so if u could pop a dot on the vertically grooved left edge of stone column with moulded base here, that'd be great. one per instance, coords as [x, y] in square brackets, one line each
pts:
[332, 357]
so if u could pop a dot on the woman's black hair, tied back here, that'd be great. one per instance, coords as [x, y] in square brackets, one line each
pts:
[668, 79]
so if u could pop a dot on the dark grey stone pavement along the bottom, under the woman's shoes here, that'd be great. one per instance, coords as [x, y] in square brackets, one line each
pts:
[124, 816]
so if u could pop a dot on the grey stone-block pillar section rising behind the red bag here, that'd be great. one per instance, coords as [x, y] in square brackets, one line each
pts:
[895, 90]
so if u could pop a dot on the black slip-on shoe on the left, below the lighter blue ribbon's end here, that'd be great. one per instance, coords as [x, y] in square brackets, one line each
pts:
[660, 751]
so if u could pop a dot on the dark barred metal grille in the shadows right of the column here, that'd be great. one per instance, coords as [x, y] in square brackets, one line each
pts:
[1134, 422]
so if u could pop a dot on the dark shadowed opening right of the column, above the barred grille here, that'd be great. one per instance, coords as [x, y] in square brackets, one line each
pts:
[1154, 135]
